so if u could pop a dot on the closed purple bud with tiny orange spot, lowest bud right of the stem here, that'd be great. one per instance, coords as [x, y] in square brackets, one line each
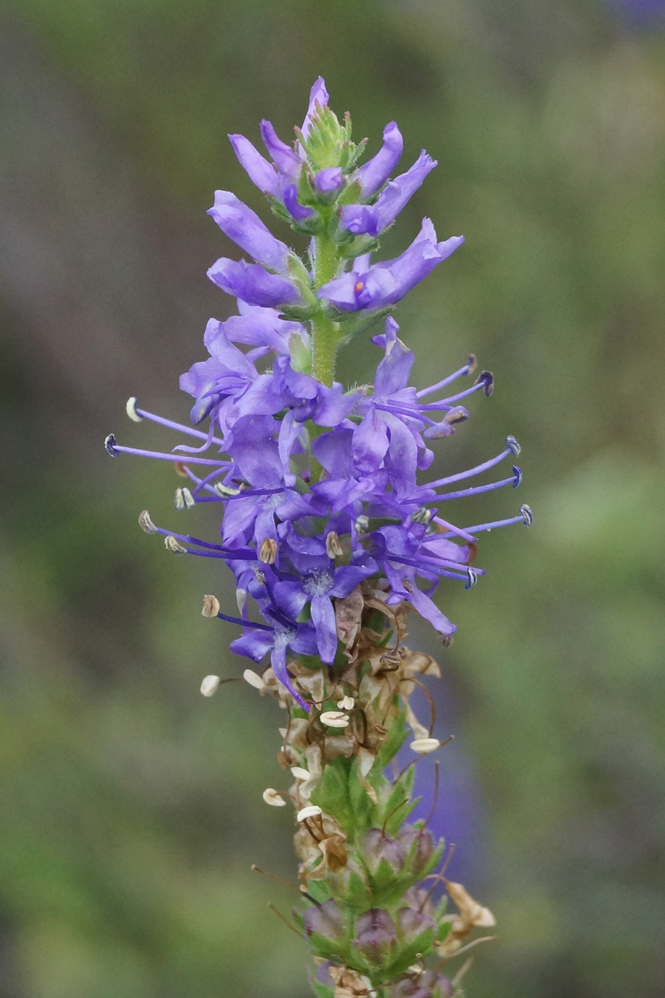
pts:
[384, 284]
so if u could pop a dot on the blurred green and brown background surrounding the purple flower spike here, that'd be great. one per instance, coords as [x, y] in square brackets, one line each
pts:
[130, 808]
